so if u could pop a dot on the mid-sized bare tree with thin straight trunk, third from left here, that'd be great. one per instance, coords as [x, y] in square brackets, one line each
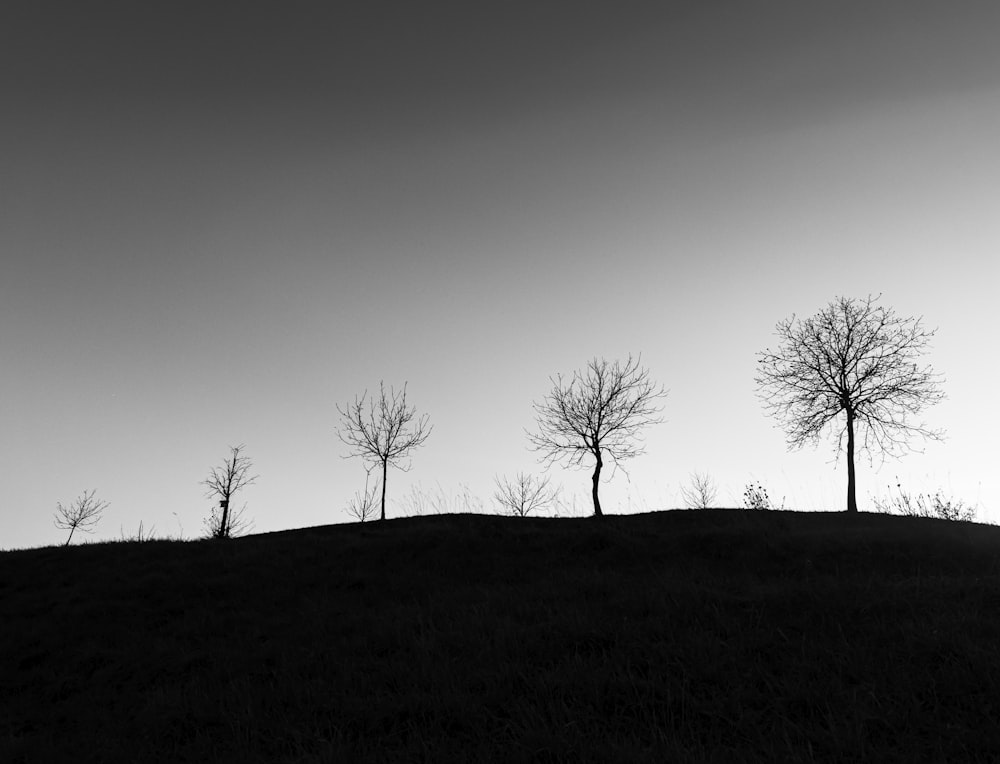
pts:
[384, 432]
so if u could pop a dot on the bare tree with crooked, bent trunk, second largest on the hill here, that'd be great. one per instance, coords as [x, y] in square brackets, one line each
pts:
[599, 412]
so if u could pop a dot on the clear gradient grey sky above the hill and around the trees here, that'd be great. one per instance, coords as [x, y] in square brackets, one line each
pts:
[219, 221]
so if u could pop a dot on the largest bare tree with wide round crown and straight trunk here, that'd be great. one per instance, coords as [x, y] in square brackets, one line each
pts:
[852, 366]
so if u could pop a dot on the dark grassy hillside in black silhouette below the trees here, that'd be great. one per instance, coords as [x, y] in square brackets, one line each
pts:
[702, 636]
